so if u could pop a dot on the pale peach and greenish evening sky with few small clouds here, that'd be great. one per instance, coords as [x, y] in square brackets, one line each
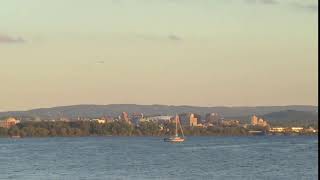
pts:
[172, 52]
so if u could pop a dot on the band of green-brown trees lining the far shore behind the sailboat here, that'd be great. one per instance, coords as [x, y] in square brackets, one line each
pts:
[117, 128]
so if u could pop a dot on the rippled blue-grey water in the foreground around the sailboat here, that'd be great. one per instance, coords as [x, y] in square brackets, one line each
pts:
[264, 157]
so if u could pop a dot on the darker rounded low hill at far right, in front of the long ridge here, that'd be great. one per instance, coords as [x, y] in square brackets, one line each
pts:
[292, 117]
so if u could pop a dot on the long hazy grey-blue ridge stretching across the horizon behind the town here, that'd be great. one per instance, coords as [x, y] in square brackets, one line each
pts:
[113, 110]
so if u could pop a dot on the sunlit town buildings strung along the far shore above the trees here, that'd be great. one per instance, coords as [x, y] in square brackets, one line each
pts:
[186, 120]
